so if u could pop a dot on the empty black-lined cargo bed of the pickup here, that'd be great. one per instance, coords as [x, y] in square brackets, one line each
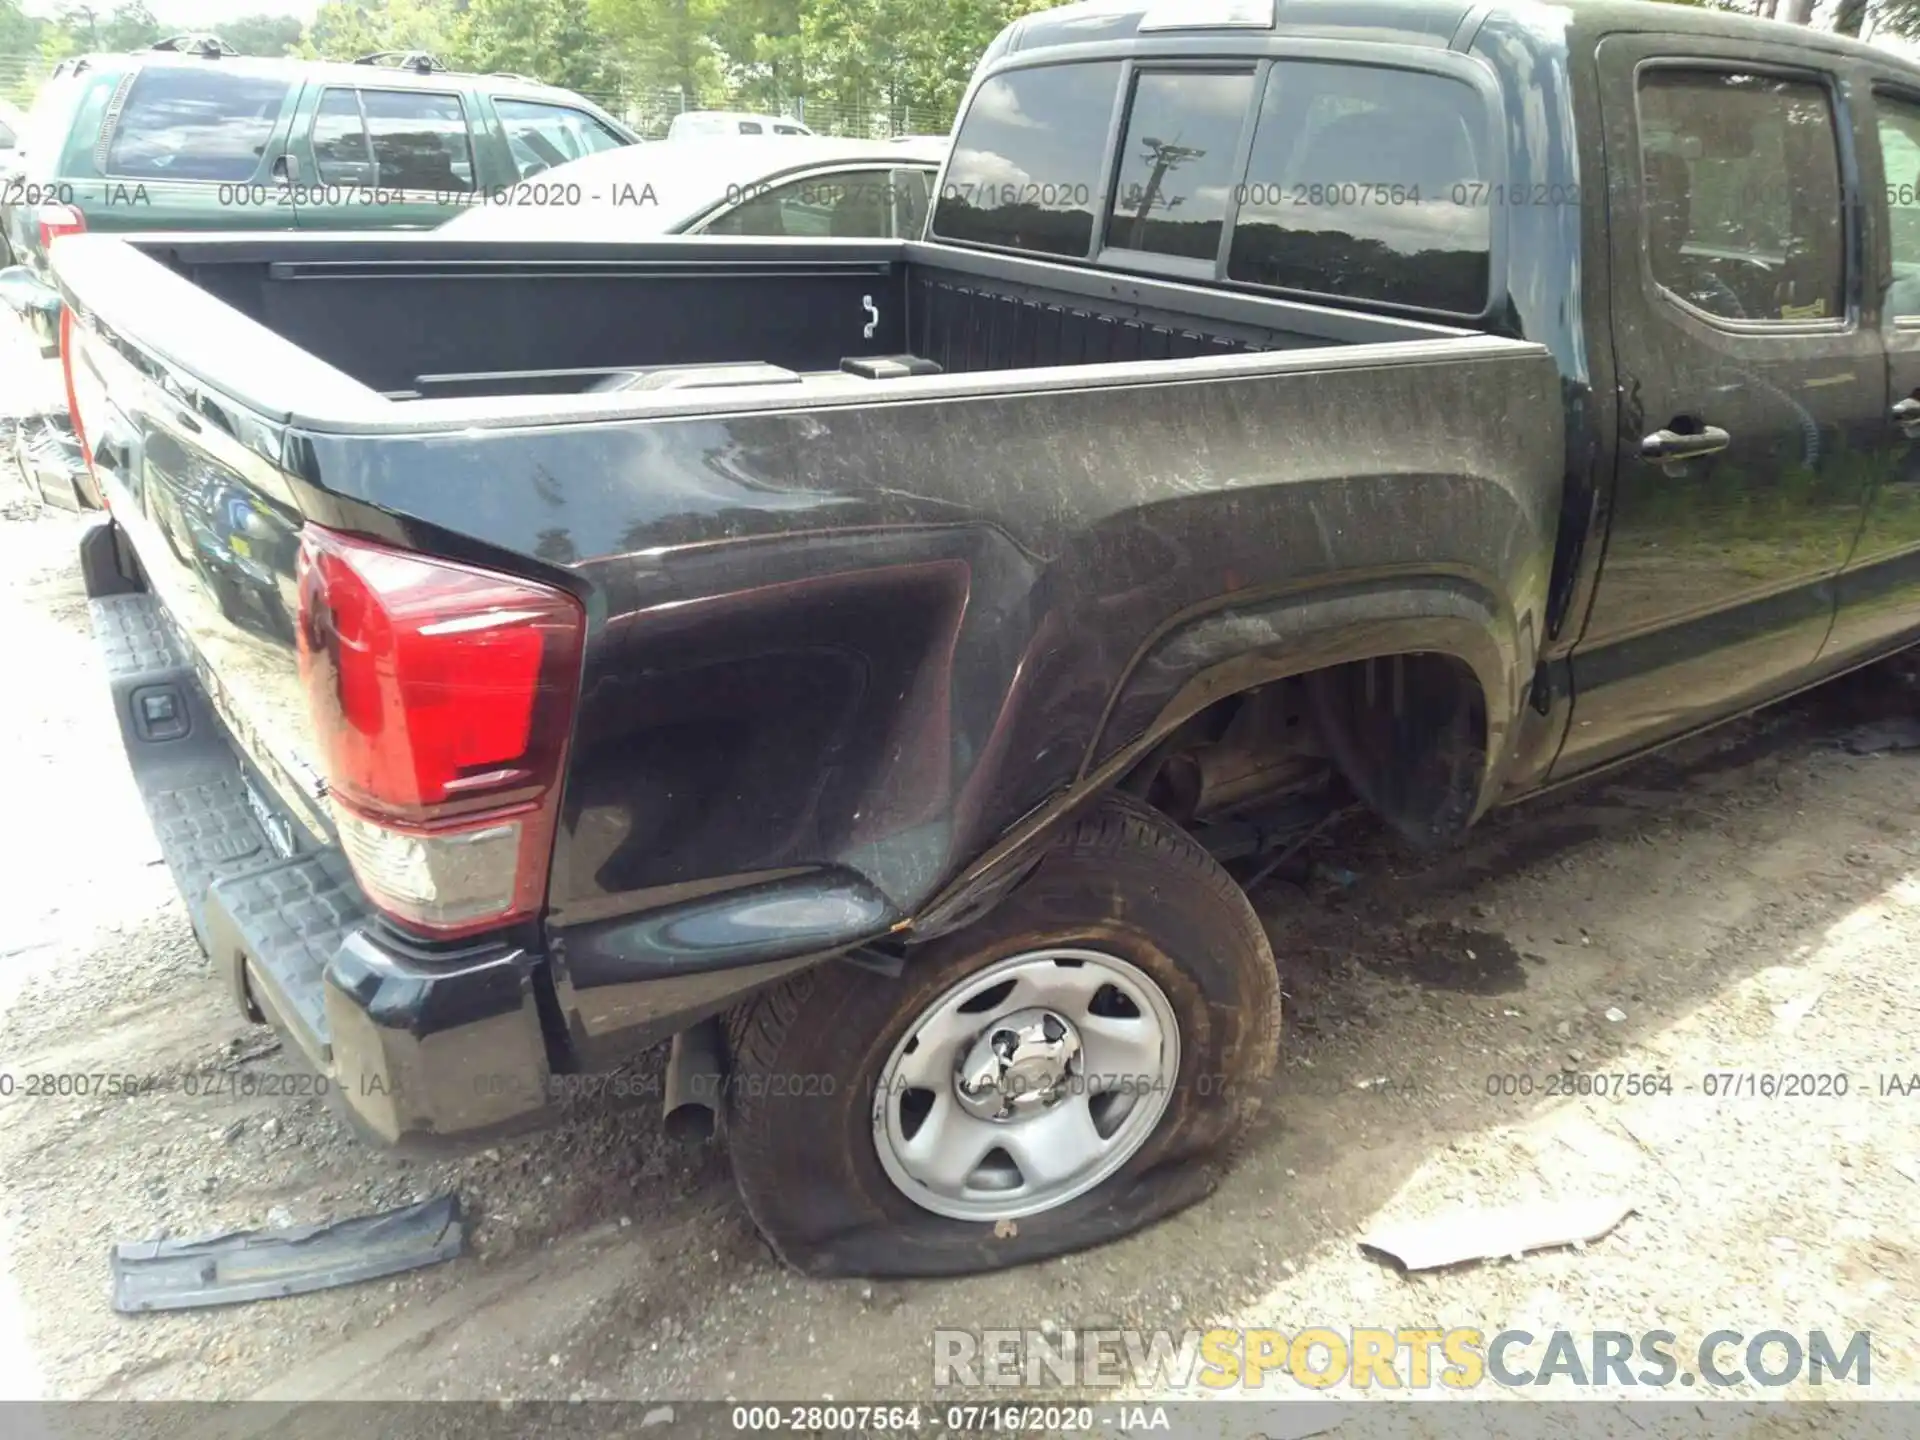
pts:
[416, 318]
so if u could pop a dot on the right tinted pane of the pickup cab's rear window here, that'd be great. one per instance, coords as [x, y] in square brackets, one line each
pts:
[1368, 183]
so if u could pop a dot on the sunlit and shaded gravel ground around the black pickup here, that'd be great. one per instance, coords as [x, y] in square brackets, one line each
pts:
[1744, 903]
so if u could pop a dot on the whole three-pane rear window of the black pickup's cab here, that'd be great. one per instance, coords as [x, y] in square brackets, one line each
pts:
[1358, 181]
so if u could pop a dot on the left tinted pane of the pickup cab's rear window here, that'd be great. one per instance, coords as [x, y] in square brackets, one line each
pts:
[1026, 170]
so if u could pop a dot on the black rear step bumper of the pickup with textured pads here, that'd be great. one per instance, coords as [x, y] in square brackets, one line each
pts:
[425, 1049]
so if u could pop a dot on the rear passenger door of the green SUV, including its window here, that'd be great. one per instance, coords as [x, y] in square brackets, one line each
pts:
[375, 156]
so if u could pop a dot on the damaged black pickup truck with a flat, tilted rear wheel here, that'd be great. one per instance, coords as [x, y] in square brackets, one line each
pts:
[871, 663]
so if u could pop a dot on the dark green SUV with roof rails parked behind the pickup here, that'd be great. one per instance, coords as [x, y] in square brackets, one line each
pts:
[195, 137]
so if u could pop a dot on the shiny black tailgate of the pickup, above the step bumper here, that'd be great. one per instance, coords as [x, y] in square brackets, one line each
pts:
[197, 481]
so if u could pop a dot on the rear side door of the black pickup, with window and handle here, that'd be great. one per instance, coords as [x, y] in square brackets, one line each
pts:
[1748, 381]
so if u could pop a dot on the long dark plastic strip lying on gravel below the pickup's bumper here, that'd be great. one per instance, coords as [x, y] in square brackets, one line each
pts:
[228, 1270]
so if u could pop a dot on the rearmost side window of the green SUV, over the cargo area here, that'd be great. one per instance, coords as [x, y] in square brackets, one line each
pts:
[195, 124]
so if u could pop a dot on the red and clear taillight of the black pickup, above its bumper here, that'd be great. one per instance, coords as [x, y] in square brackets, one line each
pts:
[443, 698]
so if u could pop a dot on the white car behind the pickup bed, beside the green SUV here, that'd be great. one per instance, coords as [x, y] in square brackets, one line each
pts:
[811, 187]
